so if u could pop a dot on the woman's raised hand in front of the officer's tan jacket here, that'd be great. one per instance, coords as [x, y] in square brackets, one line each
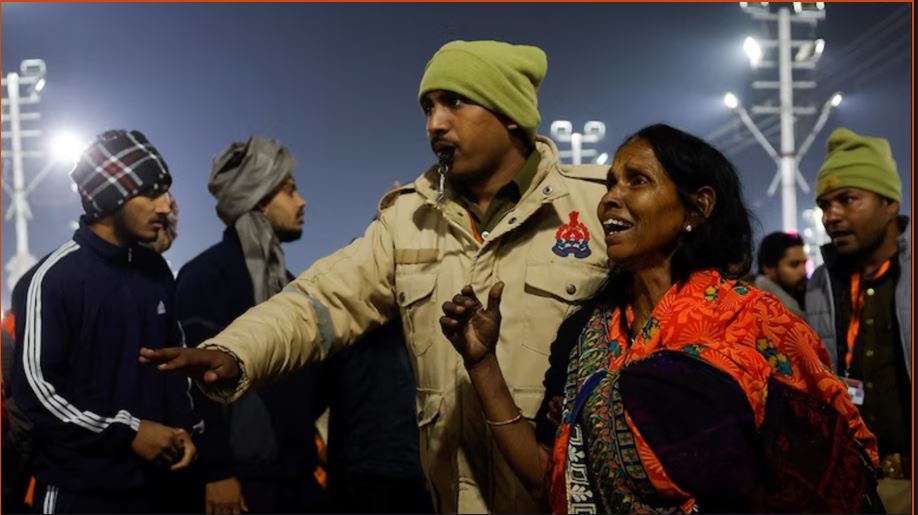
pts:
[471, 328]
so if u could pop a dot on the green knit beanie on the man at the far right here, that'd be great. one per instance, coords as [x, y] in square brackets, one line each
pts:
[862, 162]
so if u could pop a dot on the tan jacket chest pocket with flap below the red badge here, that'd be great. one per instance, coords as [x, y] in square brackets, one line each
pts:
[553, 292]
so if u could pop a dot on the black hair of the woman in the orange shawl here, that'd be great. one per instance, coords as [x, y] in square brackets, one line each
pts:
[724, 240]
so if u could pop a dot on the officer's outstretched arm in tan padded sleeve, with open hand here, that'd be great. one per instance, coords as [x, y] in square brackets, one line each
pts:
[331, 304]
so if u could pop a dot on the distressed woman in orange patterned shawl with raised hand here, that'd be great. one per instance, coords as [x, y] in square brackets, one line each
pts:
[687, 389]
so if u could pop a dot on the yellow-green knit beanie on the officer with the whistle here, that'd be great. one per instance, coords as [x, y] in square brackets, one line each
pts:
[498, 76]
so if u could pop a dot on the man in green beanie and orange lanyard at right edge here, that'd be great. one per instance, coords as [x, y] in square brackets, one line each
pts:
[859, 301]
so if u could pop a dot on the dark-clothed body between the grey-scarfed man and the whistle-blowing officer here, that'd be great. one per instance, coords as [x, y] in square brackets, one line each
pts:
[373, 456]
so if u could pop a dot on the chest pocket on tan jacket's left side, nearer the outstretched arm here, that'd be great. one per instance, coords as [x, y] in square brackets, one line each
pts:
[414, 294]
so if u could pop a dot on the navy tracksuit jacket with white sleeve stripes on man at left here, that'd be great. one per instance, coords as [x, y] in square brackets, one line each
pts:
[82, 315]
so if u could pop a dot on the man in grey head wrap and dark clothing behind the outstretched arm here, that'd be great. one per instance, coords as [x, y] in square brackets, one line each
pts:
[258, 454]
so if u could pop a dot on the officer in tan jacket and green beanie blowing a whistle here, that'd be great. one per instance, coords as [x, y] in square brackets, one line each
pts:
[497, 206]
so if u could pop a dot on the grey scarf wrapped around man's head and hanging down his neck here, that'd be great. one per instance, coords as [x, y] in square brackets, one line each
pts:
[243, 175]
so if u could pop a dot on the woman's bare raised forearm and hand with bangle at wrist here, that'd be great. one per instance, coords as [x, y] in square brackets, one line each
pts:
[473, 330]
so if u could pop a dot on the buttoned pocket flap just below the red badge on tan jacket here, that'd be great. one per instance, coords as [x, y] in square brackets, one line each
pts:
[570, 281]
